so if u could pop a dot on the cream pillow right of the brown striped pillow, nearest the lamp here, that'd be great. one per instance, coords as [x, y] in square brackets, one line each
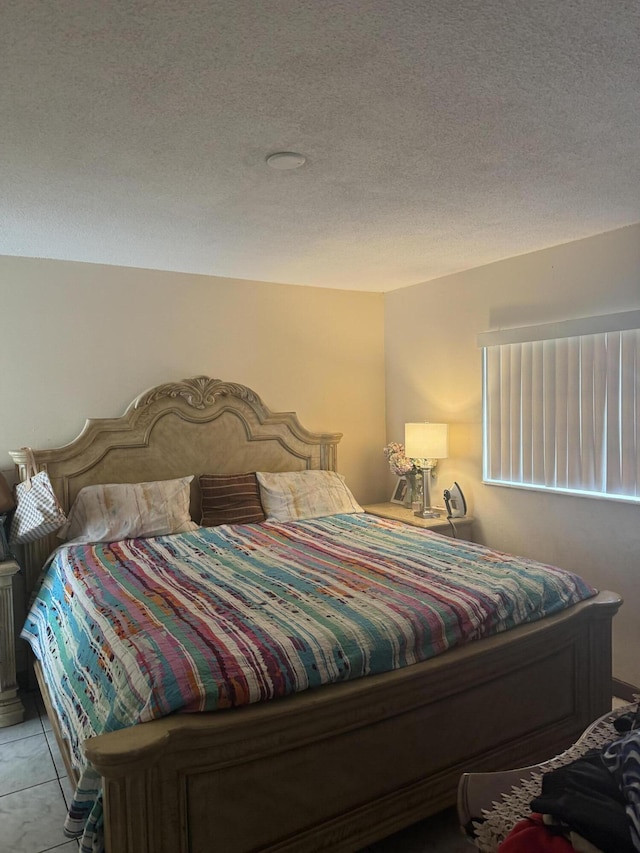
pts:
[305, 494]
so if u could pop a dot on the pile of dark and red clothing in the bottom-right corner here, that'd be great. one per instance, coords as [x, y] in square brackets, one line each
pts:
[591, 805]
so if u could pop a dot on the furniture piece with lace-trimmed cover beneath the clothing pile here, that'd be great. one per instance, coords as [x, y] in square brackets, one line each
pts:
[490, 804]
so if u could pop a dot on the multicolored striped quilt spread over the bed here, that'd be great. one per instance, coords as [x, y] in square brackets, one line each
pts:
[220, 617]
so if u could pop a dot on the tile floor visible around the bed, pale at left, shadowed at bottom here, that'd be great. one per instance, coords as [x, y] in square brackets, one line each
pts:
[30, 759]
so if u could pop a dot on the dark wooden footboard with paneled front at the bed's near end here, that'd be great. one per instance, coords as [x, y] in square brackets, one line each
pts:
[338, 767]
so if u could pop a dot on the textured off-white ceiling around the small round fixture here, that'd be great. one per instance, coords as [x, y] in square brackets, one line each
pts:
[439, 136]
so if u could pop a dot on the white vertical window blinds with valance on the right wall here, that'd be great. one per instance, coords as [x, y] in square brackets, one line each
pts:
[562, 413]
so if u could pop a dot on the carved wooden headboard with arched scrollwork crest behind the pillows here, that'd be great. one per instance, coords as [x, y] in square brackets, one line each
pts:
[196, 426]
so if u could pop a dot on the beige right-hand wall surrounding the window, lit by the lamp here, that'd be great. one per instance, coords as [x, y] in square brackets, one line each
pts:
[433, 370]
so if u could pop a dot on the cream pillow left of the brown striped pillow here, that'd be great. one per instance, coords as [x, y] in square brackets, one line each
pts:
[115, 511]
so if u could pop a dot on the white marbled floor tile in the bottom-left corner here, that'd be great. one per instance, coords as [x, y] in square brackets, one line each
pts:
[33, 823]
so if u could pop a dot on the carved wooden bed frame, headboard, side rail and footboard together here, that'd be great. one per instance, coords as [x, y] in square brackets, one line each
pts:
[338, 767]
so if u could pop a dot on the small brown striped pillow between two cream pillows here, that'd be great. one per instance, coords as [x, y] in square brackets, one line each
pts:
[230, 499]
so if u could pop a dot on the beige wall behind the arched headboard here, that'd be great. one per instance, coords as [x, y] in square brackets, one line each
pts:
[82, 340]
